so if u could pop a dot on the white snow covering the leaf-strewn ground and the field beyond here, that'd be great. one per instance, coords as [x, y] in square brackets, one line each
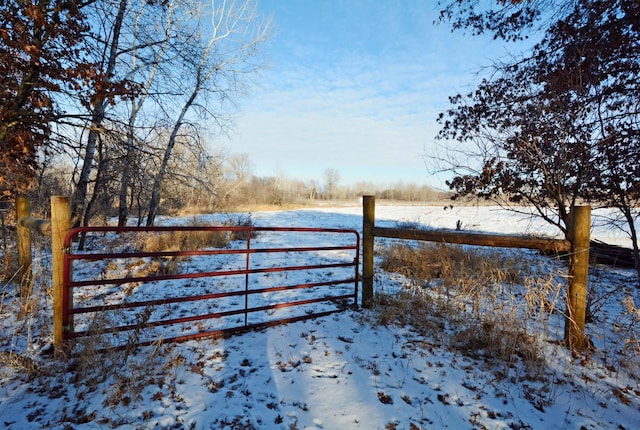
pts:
[342, 371]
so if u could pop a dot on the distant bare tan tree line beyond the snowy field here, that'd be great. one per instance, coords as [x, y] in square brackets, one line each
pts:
[223, 182]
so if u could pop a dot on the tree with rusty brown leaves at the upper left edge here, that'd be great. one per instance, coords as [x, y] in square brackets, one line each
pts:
[40, 55]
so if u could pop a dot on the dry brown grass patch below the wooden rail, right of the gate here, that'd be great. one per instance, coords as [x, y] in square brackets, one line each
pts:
[467, 300]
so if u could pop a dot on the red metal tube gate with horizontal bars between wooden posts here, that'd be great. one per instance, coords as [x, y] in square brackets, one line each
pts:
[110, 296]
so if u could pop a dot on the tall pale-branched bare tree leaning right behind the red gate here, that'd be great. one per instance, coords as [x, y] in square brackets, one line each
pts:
[212, 68]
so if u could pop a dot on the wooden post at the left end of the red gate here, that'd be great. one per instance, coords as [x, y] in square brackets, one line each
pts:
[60, 226]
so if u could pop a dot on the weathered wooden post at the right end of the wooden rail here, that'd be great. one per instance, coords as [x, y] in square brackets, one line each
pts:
[578, 277]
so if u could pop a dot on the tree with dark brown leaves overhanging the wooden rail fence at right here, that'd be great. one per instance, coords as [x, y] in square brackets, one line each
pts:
[561, 124]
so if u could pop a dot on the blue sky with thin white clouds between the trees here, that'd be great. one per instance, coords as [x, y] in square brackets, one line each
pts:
[355, 85]
